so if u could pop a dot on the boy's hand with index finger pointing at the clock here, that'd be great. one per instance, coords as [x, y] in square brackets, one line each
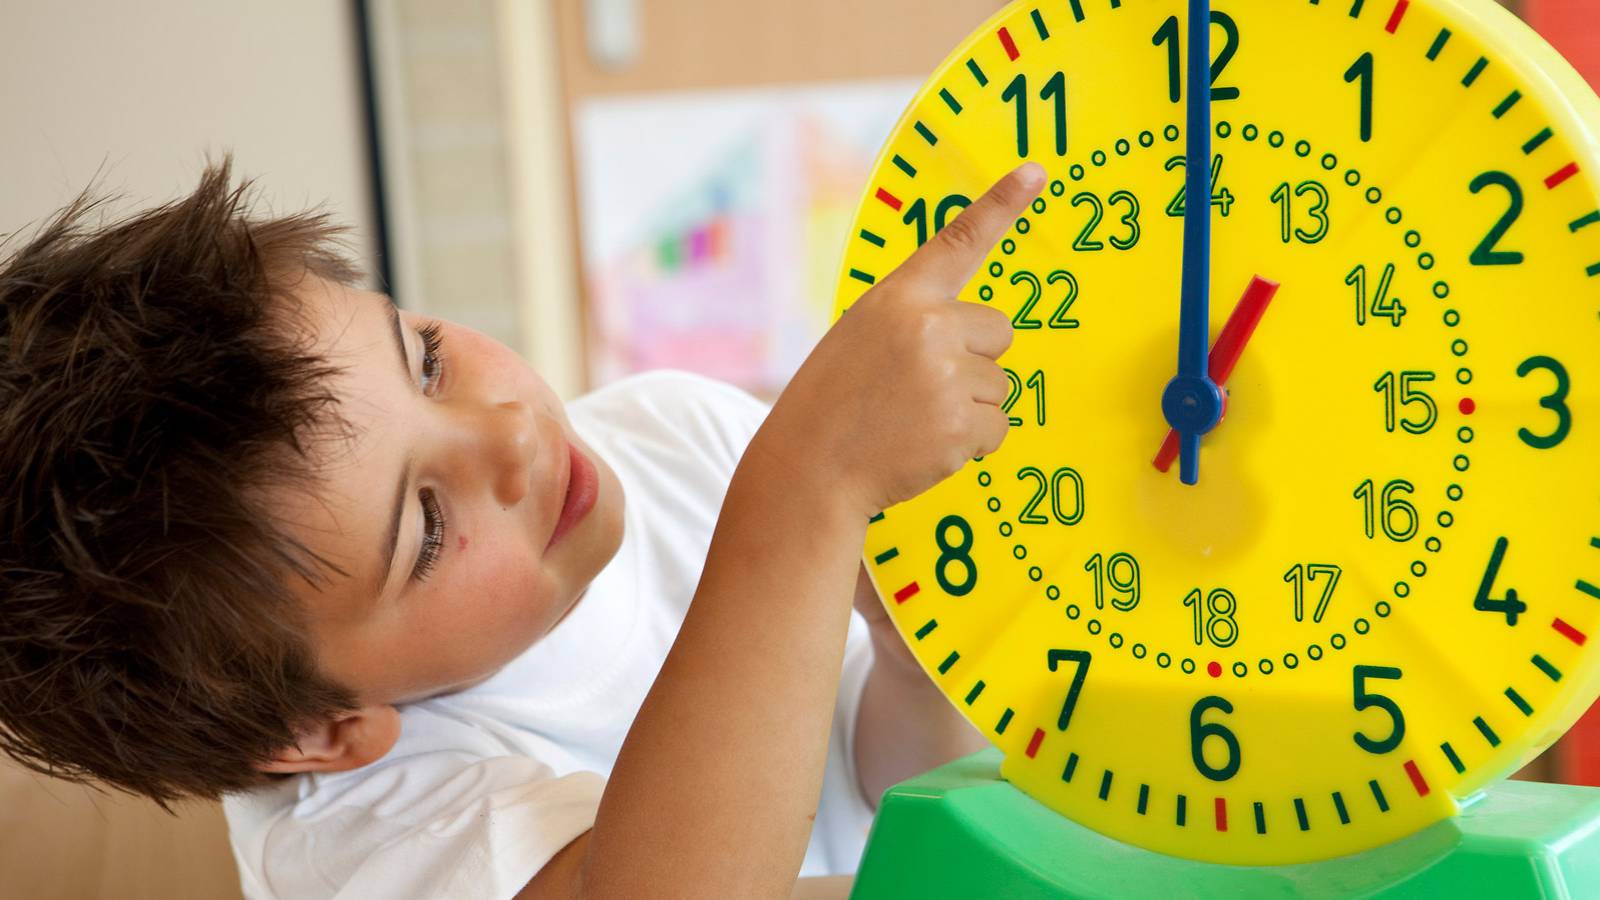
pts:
[906, 388]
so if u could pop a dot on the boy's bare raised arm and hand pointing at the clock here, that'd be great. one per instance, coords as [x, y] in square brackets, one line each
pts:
[718, 782]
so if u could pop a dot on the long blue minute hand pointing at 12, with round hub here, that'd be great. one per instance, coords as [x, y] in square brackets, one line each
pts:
[1193, 403]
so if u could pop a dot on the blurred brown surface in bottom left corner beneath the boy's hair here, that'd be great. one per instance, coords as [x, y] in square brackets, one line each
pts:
[66, 843]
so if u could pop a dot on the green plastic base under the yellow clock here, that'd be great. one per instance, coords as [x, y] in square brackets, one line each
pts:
[962, 832]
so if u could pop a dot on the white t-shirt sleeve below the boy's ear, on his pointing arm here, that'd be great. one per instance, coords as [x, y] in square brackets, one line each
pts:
[434, 824]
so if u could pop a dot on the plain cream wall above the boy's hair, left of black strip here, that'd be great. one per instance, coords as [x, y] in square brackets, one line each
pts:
[143, 92]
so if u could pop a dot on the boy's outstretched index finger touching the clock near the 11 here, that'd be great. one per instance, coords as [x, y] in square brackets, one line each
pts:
[954, 255]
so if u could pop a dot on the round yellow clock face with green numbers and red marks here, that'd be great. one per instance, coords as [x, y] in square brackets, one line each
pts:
[1385, 590]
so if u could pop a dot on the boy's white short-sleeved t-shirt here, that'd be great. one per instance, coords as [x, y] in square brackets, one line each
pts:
[486, 785]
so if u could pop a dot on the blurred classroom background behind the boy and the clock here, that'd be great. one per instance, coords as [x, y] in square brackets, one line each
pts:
[602, 185]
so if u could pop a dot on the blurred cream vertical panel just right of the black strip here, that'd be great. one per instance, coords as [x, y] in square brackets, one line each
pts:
[478, 174]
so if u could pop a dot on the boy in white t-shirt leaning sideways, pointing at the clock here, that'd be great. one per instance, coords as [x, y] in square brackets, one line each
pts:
[265, 536]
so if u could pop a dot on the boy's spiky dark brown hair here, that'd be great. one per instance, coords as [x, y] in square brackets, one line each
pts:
[154, 388]
